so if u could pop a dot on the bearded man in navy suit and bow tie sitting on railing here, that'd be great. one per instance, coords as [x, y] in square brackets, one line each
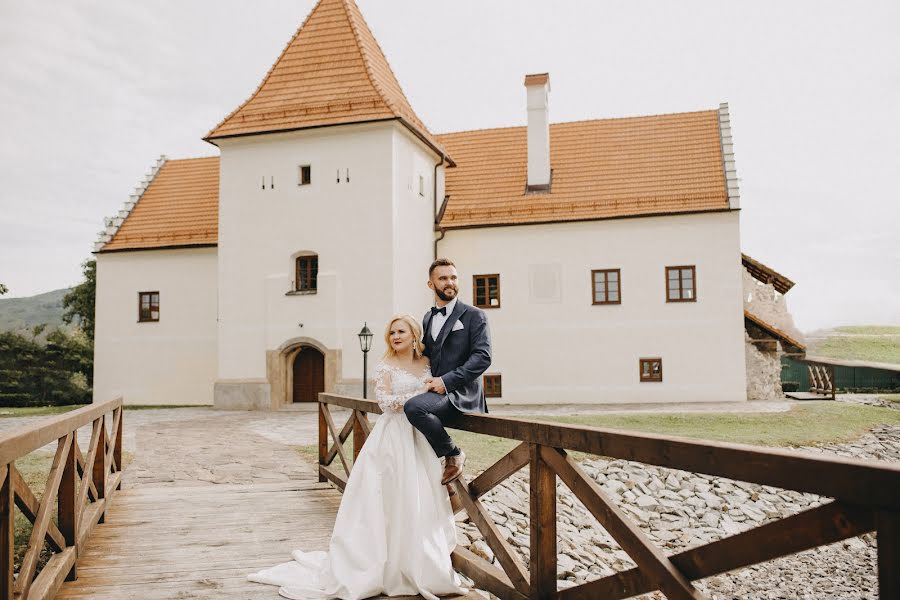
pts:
[458, 344]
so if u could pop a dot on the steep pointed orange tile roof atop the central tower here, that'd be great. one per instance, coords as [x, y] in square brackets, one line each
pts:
[332, 72]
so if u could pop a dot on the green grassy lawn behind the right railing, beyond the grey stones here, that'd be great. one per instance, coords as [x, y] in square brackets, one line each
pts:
[807, 424]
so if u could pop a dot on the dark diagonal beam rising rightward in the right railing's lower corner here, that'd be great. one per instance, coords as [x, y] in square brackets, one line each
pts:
[815, 527]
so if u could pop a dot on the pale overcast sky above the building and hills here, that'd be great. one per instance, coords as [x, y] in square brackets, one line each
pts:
[92, 92]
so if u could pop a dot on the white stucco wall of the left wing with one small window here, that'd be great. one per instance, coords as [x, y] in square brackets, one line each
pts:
[172, 361]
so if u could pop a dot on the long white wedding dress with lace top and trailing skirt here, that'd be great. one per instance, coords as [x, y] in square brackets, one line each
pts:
[394, 530]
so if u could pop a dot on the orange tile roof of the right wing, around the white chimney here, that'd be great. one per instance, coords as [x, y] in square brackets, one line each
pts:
[600, 169]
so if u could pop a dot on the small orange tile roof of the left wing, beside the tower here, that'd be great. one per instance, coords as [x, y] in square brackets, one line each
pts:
[179, 208]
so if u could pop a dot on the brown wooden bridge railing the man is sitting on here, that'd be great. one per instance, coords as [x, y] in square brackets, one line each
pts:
[866, 497]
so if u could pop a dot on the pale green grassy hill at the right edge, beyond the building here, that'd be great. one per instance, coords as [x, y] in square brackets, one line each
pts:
[877, 343]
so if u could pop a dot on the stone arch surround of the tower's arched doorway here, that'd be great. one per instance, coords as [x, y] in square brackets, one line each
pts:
[281, 365]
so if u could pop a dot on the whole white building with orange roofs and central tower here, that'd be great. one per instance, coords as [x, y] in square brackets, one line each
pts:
[606, 253]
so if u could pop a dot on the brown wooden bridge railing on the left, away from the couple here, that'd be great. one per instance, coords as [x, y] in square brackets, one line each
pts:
[78, 491]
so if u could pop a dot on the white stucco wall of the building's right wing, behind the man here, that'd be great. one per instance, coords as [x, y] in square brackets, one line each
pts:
[564, 349]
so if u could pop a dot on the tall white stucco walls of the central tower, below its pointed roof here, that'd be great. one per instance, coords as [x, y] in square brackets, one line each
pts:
[371, 234]
